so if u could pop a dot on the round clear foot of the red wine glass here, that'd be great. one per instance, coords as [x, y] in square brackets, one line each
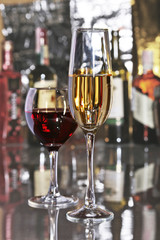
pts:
[55, 202]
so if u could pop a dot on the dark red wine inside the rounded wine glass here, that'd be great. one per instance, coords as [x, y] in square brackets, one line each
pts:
[51, 127]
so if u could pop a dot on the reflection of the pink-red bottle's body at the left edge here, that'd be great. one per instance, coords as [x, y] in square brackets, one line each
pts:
[10, 173]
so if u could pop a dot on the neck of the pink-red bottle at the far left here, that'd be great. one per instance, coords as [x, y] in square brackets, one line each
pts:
[7, 56]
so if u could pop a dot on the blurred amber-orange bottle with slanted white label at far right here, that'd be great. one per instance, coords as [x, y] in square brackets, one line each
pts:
[142, 102]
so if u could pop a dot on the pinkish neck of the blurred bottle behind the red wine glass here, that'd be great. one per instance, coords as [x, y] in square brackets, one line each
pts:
[42, 53]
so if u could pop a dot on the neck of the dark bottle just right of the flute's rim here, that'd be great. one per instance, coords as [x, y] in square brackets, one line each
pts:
[115, 46]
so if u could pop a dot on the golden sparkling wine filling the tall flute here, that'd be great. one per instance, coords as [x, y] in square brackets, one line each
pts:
[90, 100]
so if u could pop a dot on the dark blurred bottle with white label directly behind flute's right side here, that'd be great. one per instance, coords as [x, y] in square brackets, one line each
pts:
[118, 122]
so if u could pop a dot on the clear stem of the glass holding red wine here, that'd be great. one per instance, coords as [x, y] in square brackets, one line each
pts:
[53, 189]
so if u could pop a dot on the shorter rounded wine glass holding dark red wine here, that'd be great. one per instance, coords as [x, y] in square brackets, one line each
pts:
[49, 119]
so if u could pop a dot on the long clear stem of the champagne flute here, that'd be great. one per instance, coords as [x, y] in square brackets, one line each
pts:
[90, 195]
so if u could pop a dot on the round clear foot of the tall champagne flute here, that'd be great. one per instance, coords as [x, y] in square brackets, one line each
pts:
[89, 215]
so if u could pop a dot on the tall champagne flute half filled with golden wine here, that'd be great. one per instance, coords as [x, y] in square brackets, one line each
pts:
[90, 97]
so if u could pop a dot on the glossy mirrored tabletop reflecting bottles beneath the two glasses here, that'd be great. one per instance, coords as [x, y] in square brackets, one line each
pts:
[127, 182]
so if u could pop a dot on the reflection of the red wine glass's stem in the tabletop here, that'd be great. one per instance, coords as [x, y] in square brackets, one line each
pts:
[53, 219]
